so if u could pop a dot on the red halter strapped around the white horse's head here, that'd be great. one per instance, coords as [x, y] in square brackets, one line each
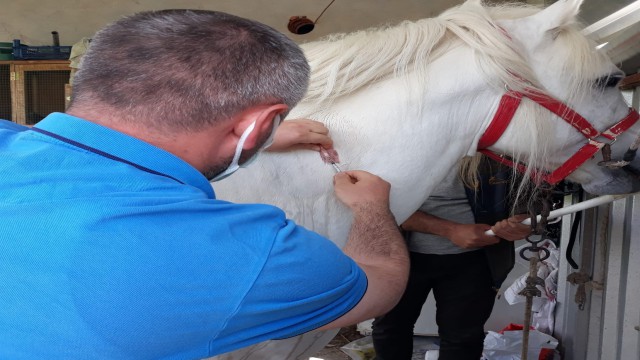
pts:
[507, 108]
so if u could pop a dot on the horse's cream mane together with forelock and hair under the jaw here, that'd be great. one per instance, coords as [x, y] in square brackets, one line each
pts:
[344, 63]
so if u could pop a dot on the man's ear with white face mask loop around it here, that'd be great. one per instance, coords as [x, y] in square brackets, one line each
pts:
[263, 116]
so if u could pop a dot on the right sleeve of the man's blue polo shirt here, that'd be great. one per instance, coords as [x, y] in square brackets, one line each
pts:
[306, 282]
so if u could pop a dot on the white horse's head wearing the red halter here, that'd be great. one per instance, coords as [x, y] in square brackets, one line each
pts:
[566, 65]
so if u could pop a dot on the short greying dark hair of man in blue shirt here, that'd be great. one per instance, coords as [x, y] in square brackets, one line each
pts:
[187, 69]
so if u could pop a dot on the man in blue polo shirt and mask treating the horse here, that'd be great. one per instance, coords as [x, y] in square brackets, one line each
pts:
[113, 244]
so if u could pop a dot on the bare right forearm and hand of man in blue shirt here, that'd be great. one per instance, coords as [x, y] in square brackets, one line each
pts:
[374, 243]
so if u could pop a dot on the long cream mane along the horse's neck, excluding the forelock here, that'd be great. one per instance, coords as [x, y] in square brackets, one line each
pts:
[343, 63]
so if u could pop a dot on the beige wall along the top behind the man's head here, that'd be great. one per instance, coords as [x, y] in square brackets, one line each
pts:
[32, 21]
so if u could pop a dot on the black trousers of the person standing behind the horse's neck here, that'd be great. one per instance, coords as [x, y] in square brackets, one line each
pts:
[462, 288]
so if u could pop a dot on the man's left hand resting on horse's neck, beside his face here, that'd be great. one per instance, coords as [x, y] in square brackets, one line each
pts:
[301, 134]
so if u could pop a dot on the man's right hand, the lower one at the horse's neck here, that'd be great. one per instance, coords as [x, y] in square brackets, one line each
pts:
[360, 190]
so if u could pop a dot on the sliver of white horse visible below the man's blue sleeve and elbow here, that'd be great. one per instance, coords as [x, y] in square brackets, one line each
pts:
[299, 347]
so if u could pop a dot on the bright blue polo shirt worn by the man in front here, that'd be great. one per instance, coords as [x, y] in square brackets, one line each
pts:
[111, 248]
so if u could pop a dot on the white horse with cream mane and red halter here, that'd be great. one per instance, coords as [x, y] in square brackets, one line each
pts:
[407, 102]
